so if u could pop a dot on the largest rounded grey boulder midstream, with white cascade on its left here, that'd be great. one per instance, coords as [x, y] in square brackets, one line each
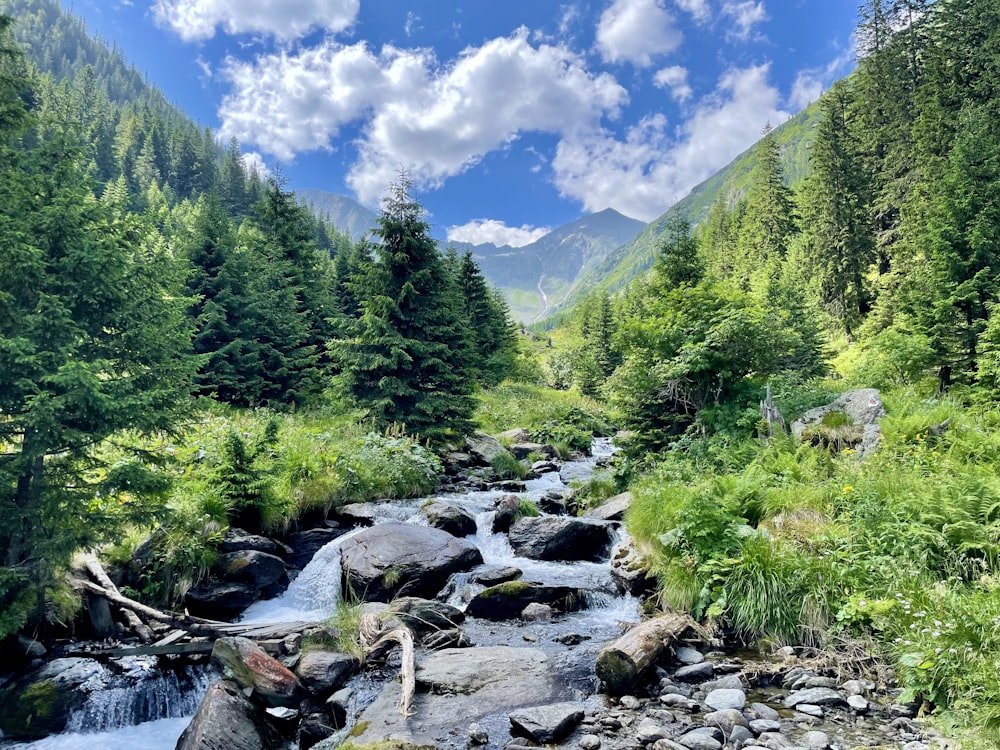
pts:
[392, 558]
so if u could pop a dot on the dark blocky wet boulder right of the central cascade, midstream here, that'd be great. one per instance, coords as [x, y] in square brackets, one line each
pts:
[560, 538]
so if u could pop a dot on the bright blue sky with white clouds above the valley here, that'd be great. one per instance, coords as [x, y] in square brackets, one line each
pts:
[512, 117]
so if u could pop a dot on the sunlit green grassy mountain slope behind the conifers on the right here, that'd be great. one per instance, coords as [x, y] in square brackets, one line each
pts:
[634, 258]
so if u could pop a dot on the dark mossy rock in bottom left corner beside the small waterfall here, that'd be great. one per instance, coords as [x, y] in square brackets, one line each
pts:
[40, 703]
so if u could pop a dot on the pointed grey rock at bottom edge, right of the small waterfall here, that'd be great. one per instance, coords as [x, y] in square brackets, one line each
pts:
[227, 721]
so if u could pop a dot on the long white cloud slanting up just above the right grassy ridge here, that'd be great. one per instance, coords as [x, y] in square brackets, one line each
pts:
[651, 169]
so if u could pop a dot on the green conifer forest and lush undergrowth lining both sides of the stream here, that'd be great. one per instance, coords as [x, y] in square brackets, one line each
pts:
[184, 347]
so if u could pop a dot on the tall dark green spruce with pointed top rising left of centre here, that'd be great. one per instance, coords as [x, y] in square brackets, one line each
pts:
[409, 360]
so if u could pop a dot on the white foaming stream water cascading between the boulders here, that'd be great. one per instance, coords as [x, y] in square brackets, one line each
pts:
[151, 708]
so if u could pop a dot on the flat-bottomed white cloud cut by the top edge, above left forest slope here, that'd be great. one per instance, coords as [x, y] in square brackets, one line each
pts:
[288, 19]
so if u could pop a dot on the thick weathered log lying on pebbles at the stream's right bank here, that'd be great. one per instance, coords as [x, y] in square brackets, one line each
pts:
[621, 664]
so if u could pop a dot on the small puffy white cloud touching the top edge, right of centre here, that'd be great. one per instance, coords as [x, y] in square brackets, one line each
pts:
[636, 31]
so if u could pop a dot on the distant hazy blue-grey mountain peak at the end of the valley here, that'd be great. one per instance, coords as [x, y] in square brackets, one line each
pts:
[538, 276]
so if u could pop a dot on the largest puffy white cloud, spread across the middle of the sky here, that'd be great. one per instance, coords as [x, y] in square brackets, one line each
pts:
[435, 120]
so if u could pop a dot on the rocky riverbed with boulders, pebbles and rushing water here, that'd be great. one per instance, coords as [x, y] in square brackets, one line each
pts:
[508, 615]
